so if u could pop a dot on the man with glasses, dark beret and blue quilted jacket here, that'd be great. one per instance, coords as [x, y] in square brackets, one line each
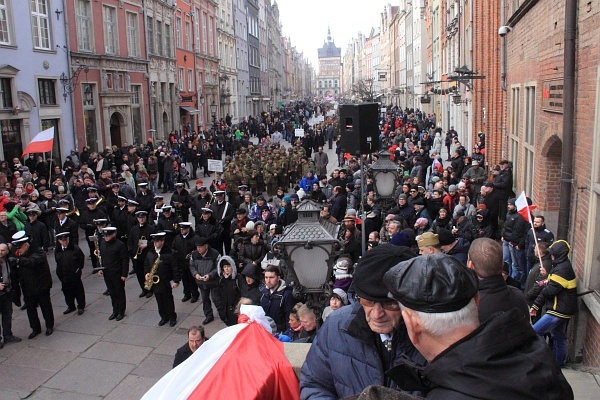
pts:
[358, 344]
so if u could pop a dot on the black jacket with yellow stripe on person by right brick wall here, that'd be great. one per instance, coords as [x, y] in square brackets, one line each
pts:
[560, 295]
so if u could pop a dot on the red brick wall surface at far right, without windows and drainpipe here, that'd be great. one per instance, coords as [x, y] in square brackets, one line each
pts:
[534, 54]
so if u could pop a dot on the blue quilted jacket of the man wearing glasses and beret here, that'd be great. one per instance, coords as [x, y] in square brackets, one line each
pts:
[343, 359]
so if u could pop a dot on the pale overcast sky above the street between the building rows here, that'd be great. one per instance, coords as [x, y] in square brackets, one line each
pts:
[306, 22]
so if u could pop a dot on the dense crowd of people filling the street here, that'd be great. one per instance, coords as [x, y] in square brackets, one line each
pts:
[218, 239]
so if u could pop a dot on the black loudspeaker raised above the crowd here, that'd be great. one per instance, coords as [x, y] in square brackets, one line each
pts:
[359, 128]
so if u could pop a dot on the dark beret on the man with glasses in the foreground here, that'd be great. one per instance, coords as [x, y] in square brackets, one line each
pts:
[368, 277]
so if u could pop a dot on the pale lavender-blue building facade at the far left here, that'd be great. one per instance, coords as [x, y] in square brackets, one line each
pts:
[33, 59]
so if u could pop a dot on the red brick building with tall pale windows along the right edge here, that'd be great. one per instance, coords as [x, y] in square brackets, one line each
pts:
[534, 137]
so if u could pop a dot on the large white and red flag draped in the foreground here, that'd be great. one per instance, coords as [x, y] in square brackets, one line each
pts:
[240, 362]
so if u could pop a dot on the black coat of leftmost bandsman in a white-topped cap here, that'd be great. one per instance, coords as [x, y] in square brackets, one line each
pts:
[34, 272]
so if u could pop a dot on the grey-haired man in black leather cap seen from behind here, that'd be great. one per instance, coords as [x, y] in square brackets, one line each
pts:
[497, 359]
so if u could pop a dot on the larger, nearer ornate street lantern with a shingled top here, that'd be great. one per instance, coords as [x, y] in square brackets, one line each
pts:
[309, 248]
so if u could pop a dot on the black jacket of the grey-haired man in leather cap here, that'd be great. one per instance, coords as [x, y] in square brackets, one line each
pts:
[523, 367]
